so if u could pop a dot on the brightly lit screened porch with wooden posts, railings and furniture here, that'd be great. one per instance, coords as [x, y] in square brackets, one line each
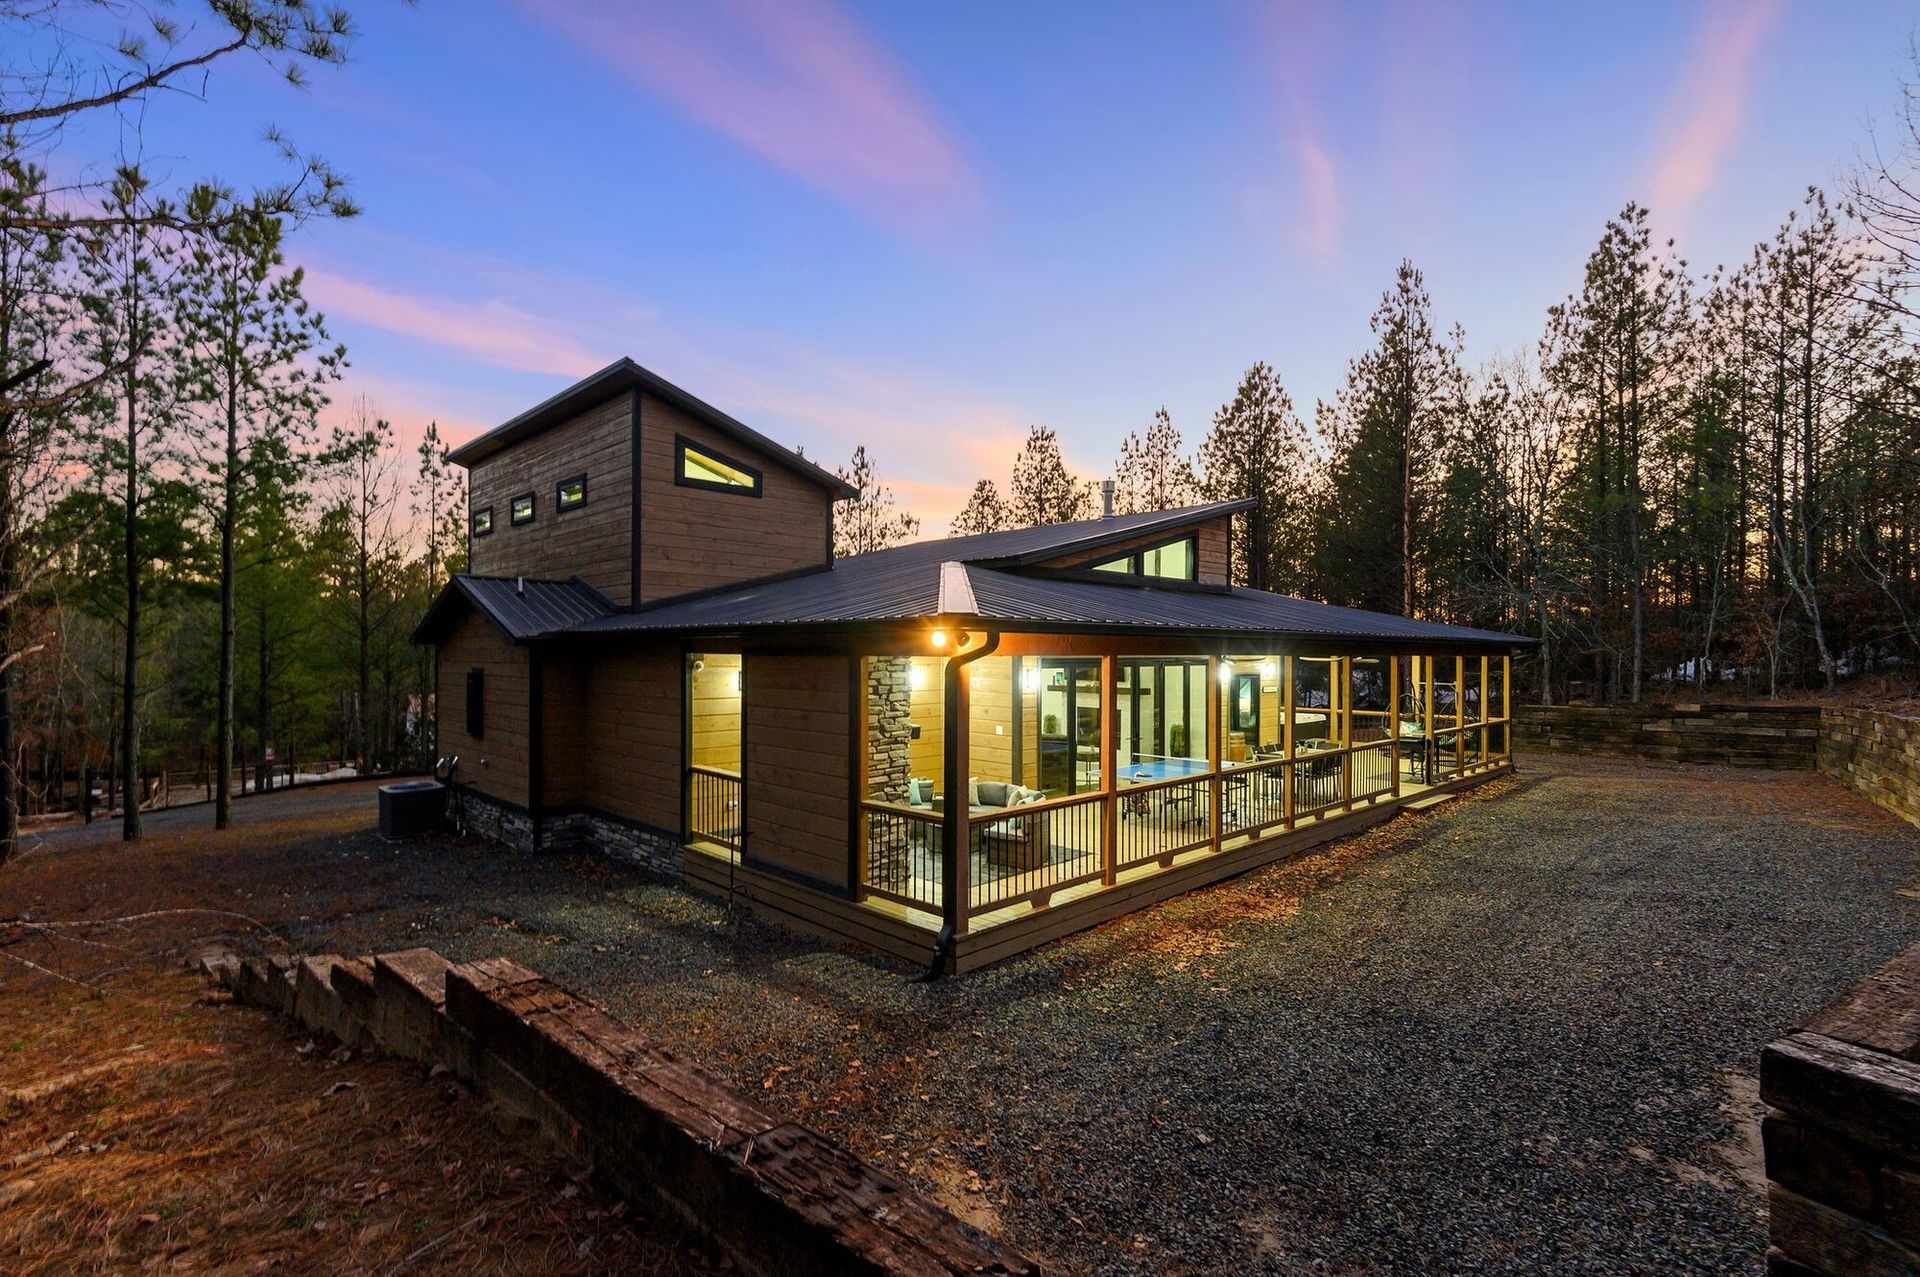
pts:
[1086, 771]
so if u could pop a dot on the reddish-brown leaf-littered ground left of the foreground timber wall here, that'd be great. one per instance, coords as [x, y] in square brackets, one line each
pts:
[151, 1124]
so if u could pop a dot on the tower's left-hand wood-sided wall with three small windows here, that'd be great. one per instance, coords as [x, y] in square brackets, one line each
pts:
[594, 541]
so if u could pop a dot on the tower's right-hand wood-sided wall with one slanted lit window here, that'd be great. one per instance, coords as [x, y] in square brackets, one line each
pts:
[694, 539]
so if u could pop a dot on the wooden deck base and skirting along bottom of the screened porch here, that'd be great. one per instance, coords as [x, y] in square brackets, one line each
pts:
[907, 934]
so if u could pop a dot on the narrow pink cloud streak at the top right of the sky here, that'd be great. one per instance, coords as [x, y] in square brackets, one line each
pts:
[1712, 103]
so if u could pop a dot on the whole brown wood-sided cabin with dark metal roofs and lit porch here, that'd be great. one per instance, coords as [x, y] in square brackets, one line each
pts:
[951, 750]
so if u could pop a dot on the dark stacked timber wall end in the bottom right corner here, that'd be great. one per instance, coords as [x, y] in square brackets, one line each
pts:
[1842, 1134]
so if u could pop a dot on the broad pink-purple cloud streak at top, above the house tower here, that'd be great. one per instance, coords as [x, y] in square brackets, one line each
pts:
[796, 82]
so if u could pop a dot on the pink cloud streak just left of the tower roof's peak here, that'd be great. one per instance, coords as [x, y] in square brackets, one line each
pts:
[492, 329]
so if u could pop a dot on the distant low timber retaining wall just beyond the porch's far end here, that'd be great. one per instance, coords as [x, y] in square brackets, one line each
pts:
[1783, 736]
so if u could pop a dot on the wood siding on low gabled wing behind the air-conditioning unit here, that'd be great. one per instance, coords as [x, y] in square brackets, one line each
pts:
[494, 761]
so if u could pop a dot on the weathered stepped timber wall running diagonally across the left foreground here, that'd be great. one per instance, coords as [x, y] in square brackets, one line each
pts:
[777, 1197]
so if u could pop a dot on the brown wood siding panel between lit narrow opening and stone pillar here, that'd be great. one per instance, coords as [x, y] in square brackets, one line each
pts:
[798, 763]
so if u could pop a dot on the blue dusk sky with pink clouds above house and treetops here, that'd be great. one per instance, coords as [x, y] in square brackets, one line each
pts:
[924, 228]
